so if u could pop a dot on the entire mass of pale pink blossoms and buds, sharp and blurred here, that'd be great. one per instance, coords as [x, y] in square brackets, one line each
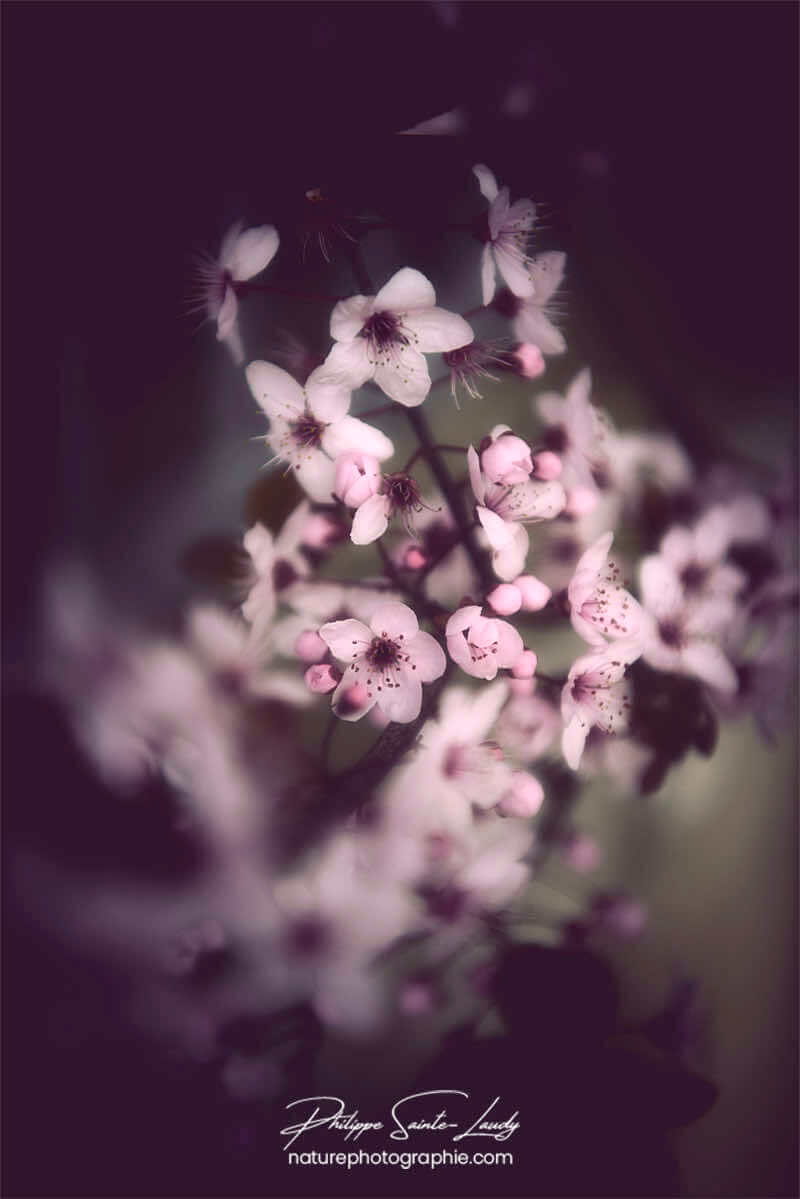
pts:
[490, 561]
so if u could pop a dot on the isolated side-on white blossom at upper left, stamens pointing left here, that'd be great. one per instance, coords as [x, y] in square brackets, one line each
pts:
[242, 257]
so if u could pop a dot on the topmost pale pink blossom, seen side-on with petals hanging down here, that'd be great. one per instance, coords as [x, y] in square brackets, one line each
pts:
[509, 230]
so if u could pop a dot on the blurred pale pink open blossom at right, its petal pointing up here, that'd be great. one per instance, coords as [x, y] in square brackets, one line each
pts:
[681, 635]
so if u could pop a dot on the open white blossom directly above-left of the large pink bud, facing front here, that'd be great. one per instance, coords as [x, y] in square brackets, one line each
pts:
[310, 427]
